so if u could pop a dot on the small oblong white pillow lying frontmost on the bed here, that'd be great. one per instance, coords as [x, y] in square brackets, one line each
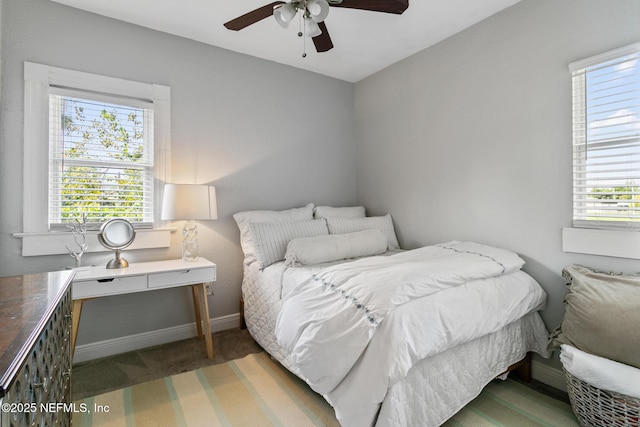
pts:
[335, 247]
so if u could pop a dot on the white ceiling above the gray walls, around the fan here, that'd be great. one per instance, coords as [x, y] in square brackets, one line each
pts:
[364, 42]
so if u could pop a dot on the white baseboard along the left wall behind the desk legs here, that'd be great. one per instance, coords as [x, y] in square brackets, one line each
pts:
[119, 345]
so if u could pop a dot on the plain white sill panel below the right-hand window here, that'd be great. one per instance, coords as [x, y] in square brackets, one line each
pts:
[614, 243]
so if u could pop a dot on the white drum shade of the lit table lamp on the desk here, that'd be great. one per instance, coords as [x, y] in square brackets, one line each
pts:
[188, 201]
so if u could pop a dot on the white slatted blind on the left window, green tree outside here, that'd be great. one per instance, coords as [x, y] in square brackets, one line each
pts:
[101, 160]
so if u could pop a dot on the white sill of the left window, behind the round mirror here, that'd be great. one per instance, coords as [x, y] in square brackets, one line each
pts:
[53, 243]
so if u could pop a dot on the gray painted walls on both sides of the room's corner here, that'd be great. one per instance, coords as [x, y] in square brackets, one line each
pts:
[469, 139]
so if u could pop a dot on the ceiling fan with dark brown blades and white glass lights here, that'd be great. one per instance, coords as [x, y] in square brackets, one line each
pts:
[312, 15]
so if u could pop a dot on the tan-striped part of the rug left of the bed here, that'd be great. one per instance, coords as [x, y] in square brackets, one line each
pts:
[252, 391]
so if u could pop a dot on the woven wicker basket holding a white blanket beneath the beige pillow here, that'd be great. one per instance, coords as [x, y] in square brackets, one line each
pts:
[595, 407]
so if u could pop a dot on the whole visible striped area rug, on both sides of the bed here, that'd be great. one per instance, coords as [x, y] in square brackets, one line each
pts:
[256, 391]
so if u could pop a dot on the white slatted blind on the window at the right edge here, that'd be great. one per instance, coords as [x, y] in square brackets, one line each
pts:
[606, 140]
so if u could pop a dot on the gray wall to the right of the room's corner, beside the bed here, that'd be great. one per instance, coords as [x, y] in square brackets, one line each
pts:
[471, 138]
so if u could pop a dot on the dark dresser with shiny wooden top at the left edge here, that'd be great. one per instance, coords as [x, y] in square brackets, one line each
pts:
[35, 350]
